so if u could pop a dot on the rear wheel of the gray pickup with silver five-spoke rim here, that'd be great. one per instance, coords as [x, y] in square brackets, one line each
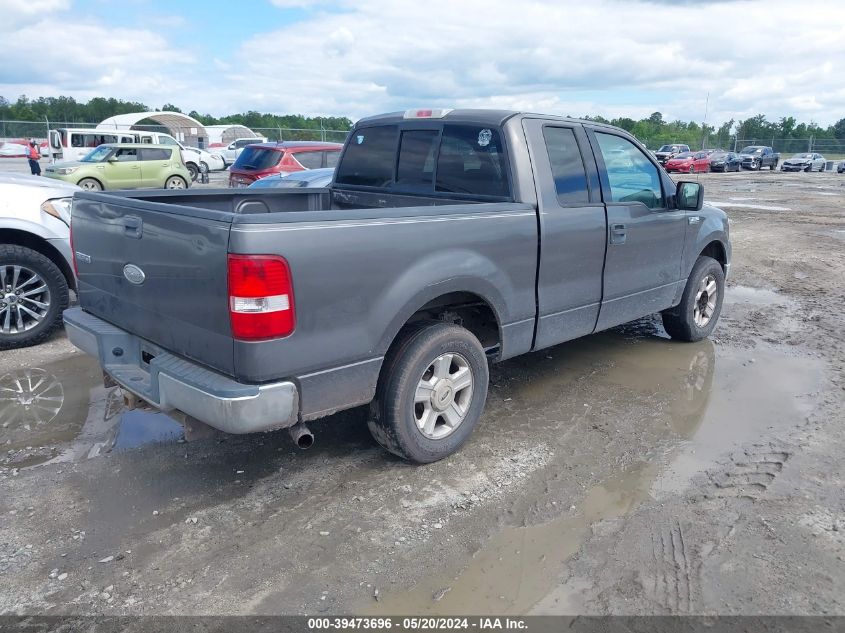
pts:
[431, 392]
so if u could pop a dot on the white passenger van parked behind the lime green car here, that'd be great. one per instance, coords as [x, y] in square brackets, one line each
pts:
[75, 143]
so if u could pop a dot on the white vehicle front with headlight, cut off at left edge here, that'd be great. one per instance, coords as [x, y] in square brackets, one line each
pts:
[36, 269]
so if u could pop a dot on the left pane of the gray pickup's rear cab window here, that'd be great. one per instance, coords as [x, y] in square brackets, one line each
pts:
[369, 157]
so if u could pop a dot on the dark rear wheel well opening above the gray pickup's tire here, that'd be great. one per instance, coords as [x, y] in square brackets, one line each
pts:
[467, 310]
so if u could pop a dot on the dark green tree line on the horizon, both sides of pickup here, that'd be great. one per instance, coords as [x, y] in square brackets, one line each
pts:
[651, 130]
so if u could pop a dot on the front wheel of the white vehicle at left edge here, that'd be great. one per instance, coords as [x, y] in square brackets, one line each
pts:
[31, 305]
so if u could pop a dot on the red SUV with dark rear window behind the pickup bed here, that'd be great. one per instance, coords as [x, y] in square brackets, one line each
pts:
[265, 159]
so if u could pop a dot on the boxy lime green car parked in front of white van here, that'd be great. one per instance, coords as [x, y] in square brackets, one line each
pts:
[125, 166]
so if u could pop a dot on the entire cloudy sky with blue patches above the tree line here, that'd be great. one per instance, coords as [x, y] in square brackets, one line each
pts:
[360, 57]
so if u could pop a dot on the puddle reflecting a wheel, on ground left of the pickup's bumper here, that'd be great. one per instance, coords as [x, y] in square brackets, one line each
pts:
[61, 412]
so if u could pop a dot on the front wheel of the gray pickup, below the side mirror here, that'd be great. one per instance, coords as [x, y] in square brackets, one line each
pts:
[695, 316]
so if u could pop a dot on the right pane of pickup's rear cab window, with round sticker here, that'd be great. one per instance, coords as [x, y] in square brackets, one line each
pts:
[472, 161]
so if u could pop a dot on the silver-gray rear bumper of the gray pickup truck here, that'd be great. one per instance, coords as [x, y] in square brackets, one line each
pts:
[171, 383]
